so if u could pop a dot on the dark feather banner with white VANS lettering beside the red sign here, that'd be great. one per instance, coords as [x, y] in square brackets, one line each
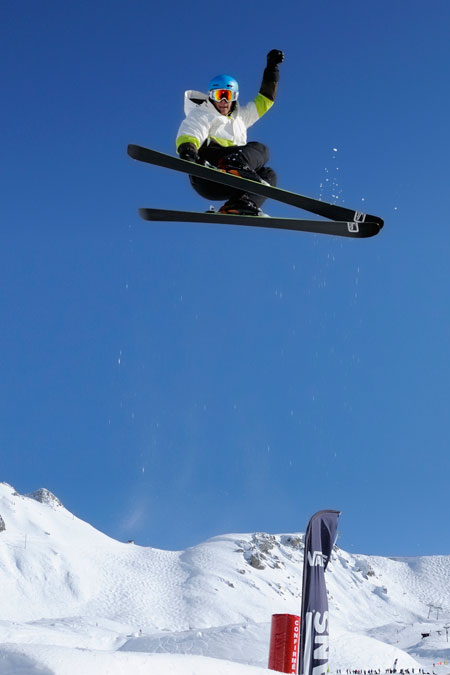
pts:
[319, 540]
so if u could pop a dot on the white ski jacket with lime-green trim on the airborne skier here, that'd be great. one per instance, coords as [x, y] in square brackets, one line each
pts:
[204, 122]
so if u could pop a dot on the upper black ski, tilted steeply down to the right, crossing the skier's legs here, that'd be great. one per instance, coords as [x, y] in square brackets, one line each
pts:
[332, 211]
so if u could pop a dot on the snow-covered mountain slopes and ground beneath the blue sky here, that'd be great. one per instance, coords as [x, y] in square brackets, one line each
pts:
[76, 601]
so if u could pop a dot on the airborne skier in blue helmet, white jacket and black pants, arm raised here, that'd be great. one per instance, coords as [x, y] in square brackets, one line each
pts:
[215, 131]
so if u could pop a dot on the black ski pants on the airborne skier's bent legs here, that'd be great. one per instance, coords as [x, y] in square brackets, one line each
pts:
[255, 154]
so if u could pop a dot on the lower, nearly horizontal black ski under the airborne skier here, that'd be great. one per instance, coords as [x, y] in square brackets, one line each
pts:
[336, 228]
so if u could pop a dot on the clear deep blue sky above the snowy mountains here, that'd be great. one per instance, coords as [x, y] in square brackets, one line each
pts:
[171, 382]
